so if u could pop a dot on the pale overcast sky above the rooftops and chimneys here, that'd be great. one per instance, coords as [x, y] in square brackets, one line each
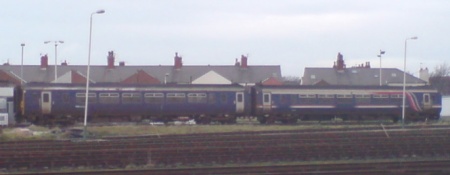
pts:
[291, 33]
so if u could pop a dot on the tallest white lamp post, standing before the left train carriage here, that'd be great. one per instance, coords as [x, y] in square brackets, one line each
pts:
[87, 73]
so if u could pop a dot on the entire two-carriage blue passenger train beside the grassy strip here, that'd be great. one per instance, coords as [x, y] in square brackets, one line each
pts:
[53, 103]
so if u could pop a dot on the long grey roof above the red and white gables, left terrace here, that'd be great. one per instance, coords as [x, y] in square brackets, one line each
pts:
[184, 75]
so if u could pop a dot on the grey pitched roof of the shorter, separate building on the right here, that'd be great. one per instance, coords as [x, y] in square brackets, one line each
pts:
[357, 76]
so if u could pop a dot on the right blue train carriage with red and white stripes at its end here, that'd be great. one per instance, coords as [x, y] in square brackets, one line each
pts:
[288, 104]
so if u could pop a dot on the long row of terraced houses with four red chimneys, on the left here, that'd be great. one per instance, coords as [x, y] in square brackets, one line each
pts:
[178, 73]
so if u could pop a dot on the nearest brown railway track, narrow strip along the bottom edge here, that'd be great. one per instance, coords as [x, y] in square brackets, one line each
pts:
[398, 167]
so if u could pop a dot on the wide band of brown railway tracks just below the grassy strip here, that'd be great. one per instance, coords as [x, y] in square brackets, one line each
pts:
[228, 148]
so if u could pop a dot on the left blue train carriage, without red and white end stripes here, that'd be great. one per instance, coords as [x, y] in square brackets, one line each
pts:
[64, 103]
